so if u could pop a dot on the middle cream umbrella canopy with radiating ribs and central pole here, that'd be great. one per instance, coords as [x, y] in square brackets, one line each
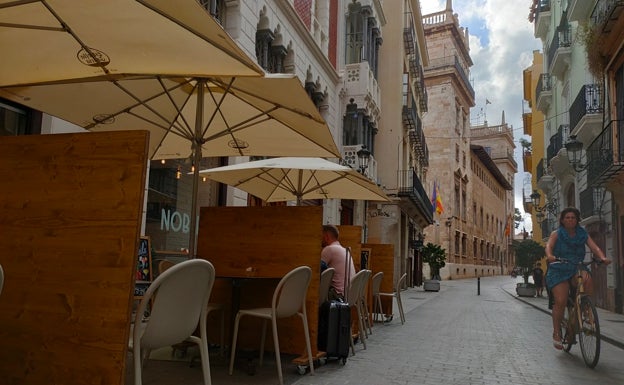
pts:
[222, 116]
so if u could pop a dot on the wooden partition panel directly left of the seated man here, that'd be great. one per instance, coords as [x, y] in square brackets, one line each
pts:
[254, 247]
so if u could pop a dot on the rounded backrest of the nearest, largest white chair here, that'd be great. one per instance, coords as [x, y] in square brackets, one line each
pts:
[180, 295]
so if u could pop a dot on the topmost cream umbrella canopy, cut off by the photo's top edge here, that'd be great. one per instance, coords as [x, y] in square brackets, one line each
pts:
[52, 40]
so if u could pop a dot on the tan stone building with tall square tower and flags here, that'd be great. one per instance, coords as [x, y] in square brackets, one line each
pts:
[474, 188]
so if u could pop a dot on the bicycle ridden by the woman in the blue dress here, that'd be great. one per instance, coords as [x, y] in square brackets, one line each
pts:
[581, 318]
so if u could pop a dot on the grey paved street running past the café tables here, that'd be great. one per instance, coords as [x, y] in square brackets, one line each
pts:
[451, 337]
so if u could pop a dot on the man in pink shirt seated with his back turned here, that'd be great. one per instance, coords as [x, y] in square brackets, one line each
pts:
[334, 255]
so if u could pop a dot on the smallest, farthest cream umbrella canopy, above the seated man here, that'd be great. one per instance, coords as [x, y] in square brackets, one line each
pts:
[286, 179]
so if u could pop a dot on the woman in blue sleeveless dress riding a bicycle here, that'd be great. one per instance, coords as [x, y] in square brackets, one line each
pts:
[568, 243]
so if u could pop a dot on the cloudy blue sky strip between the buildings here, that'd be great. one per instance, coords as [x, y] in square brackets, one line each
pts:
[501, 47]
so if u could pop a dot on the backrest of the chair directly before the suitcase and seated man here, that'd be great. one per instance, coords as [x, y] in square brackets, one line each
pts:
[290, 294]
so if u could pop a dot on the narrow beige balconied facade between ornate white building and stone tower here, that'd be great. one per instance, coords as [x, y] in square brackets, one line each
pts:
[400, 146]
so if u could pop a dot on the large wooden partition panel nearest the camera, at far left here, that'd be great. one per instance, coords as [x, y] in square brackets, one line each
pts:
[69, 234]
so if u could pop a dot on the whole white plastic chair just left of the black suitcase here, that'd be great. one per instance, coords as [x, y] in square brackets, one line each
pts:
[289, 298]
